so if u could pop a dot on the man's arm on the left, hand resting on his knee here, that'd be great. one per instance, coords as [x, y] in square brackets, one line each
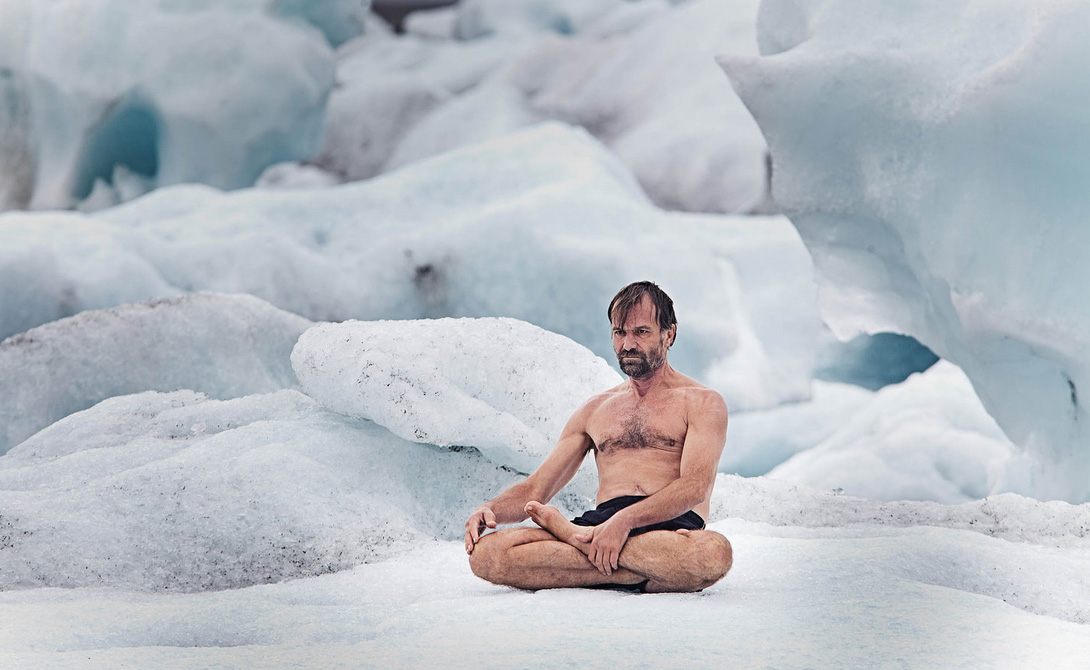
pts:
[558, 470]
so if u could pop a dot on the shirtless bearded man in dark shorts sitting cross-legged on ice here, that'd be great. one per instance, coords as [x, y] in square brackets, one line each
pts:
[657, 441]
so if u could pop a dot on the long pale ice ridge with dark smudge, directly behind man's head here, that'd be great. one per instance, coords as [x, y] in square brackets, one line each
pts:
[544, 226]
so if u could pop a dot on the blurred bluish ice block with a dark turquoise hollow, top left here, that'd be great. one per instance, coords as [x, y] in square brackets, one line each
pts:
[176, 92]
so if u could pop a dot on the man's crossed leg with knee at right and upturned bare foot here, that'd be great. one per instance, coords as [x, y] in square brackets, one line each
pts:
[672, 561]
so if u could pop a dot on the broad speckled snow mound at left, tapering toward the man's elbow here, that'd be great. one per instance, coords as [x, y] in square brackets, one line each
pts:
[180, 493]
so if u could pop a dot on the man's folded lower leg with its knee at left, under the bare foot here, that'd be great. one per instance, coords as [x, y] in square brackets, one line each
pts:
[534, 558]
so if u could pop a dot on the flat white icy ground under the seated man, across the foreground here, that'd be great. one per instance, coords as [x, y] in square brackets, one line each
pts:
[864, 595]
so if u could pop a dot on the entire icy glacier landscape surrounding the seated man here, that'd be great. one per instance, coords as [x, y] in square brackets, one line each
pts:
[202, 464]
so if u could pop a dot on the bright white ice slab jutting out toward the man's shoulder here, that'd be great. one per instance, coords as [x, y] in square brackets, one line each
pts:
[500, 385]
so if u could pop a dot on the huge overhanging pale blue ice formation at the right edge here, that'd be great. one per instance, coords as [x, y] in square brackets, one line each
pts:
[932, 157]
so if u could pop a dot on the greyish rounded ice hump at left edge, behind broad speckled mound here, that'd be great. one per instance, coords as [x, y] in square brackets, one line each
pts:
[223, 346]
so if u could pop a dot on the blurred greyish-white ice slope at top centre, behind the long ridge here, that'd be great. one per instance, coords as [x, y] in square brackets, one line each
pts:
[643, 79]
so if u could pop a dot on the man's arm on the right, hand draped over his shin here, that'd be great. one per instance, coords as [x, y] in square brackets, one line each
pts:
[700, 459]
